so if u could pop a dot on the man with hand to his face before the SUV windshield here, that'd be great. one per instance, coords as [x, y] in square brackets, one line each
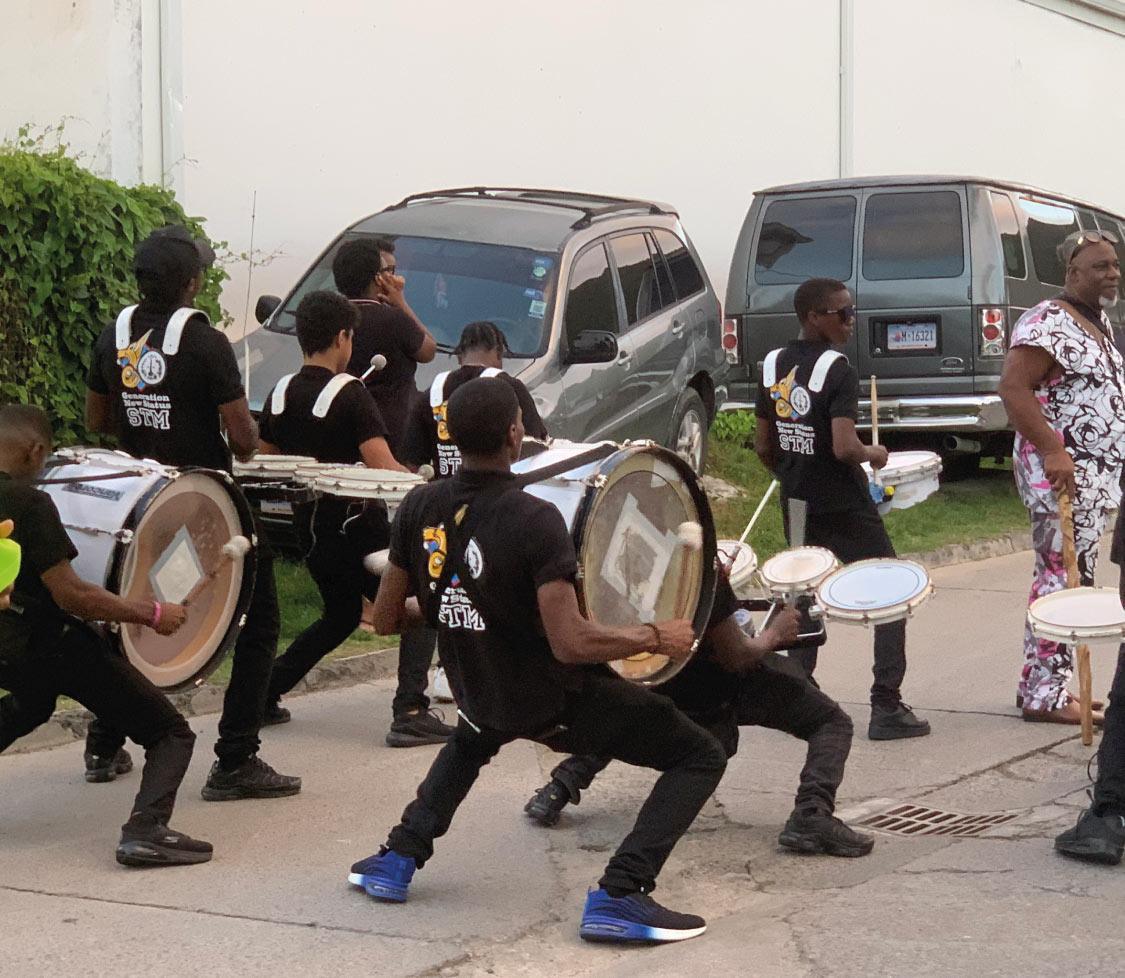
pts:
[365, 272]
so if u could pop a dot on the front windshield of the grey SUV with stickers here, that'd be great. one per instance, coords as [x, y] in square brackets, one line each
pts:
[451, 284]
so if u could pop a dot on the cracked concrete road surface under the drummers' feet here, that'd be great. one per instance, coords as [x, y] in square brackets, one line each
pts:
[503, 898]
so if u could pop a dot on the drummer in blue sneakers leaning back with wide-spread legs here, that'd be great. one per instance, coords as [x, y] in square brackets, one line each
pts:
[494, 569]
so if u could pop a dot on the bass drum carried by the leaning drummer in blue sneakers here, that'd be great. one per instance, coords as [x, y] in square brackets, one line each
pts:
[625, 514]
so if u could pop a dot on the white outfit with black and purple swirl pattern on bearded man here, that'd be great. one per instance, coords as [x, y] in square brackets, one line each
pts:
[1086, 408]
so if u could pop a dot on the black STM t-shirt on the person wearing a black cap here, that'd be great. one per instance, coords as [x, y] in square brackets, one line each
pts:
[166, 407]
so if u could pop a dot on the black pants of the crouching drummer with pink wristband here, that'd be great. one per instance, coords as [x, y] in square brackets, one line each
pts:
[77, 662]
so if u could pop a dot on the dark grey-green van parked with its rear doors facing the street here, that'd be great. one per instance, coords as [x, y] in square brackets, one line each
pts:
[941, 270]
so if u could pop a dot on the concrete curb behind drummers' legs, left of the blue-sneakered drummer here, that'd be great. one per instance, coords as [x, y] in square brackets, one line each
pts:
[67, 726]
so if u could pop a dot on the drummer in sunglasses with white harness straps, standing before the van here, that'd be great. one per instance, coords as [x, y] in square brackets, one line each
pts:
[807, 409]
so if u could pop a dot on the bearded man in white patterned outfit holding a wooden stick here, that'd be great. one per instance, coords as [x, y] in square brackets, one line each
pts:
[1064, 387]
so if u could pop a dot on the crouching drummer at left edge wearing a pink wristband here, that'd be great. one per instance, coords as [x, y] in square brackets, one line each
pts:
[47, 651]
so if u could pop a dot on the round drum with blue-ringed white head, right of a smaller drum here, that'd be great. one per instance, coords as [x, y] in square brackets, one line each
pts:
[875, 593]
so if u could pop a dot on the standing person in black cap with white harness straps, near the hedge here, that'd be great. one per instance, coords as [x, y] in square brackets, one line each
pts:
[163, 381]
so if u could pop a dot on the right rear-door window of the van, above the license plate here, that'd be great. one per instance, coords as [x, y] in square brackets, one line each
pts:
[913, 236]
